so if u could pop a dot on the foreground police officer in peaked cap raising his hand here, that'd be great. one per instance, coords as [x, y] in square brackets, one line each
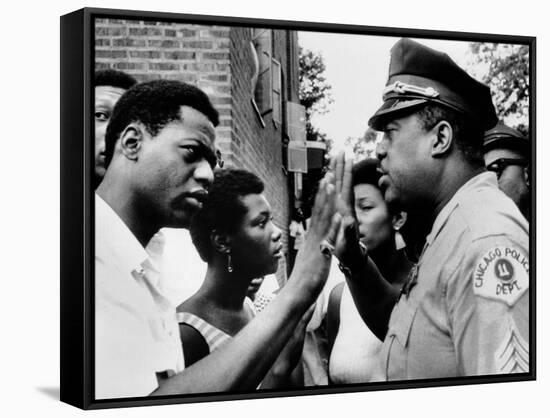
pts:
[464, 309]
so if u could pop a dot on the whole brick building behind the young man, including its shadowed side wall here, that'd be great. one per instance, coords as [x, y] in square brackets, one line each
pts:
[251, 76]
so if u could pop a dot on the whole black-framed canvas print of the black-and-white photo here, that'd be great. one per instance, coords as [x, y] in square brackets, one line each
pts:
[167, 294]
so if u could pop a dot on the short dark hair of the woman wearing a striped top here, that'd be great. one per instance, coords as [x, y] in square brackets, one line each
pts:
[223, 211]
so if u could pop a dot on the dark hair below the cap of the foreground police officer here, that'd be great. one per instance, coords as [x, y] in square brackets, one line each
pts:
[467, 135]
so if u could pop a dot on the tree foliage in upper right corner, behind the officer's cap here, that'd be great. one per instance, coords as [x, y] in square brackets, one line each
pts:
[506, 71]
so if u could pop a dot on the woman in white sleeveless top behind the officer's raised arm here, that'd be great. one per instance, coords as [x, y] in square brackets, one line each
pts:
[354, 349]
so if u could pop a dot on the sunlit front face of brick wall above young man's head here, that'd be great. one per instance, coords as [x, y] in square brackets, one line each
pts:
[194, 54]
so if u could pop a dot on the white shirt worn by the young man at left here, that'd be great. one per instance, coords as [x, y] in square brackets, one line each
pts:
[136, 331]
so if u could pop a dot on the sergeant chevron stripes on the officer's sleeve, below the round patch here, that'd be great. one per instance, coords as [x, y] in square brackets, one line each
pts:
[513, 354]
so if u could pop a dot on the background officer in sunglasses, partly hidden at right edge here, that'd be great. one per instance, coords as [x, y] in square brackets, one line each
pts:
[507, 154]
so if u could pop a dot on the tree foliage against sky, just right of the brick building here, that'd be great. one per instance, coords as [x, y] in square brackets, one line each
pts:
[315, 92]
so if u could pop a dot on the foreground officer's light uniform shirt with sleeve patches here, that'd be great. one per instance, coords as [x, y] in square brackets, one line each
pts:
[467, 308]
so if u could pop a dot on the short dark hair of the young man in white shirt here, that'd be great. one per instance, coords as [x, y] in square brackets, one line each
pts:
[155, 104]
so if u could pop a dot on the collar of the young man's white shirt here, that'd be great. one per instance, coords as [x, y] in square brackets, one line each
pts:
[114, 240]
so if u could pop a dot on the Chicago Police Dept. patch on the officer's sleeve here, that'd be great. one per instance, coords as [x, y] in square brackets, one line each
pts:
[502, 274]
